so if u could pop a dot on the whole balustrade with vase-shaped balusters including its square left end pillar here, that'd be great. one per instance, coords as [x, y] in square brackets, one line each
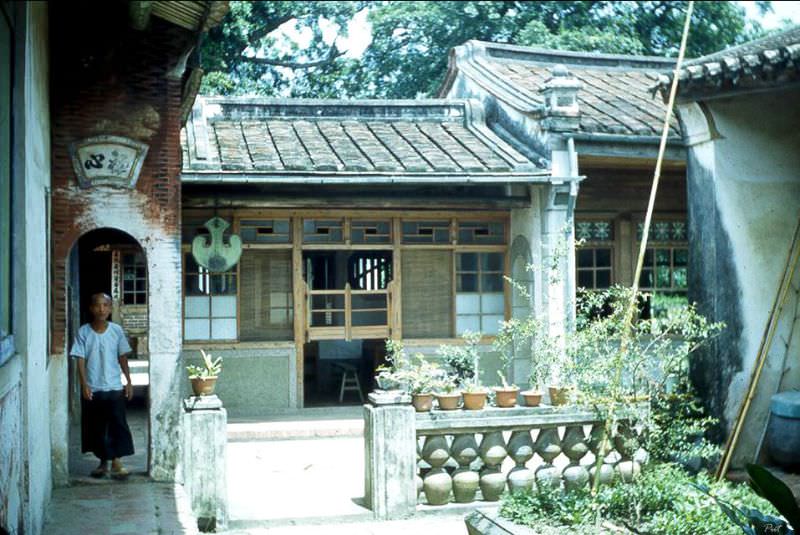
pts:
[474, 456]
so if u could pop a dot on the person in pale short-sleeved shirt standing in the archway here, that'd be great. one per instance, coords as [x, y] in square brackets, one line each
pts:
[101, 349]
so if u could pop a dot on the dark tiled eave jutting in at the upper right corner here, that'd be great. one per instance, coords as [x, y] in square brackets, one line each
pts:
[771, 61]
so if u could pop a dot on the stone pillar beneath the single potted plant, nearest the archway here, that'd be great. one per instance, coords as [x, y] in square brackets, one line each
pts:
[204, 441]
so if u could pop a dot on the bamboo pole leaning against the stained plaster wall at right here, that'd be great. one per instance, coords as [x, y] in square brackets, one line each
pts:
[763, 351]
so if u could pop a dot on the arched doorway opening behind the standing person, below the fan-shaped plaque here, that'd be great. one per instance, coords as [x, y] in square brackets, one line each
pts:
[112, 262]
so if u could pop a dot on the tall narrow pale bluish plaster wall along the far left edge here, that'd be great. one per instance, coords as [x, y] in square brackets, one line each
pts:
[25, 473]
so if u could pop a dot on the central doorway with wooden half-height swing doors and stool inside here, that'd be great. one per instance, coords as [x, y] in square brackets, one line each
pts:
[349, 312]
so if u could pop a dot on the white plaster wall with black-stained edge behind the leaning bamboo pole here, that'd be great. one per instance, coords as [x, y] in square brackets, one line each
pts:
[744, 202]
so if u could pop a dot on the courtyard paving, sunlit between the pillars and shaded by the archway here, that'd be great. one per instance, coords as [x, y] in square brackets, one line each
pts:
[297, 473]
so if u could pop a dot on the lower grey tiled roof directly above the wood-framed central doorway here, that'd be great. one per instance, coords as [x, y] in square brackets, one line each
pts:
[232, 137]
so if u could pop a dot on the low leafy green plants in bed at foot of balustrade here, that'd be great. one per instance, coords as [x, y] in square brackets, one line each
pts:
[662, 501]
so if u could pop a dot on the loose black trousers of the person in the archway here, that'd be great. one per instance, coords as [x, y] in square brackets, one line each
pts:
[104, 428]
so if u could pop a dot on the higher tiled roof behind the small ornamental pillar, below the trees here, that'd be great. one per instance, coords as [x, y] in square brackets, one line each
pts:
[615, 95]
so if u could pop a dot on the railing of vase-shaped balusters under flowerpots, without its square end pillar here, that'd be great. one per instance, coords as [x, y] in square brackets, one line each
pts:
[465, 457]
